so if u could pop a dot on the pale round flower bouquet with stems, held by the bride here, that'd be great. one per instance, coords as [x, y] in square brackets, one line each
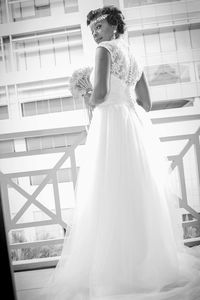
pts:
[80, 84]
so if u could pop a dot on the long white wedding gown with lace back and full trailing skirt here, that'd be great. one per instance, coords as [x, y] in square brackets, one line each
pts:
[126, 241]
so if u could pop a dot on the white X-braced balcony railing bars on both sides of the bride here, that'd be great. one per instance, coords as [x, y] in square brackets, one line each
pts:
[55, 217]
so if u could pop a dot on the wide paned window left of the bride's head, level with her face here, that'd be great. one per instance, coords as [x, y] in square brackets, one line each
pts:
[57, 48]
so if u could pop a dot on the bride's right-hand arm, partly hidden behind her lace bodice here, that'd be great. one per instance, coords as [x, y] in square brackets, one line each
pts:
[142, 93]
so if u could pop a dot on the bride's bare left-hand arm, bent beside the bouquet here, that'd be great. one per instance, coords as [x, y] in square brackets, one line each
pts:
[101, 77]
